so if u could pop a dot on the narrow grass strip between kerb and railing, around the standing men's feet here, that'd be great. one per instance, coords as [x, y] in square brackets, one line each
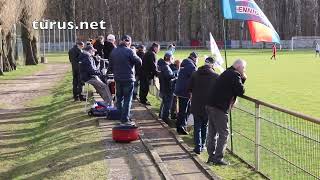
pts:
[237, 169]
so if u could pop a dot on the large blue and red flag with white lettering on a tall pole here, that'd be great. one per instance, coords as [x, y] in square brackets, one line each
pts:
[261, 30]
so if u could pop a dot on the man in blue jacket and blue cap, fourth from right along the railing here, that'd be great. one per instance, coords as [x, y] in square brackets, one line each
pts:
[166, 76]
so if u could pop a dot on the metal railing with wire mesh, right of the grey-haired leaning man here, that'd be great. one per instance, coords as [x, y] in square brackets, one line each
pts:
[278, 143]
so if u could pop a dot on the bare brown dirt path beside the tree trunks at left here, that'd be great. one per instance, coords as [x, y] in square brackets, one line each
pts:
[15, 93]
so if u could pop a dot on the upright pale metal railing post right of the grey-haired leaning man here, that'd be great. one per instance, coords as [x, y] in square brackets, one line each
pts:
[257, 139]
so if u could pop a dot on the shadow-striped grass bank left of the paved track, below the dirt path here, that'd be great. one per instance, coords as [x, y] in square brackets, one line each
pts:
[54, 140]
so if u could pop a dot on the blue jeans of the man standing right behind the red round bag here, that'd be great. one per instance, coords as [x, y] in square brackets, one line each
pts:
[124, 92]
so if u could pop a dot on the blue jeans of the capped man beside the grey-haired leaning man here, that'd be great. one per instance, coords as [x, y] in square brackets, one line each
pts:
[200, 130]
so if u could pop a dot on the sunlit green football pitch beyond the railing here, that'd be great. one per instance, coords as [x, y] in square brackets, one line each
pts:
[292, 81]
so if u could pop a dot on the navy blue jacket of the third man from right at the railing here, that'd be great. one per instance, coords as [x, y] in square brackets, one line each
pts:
[186, 69]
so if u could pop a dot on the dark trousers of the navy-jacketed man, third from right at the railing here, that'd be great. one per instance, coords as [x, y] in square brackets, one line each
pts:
[183, 112]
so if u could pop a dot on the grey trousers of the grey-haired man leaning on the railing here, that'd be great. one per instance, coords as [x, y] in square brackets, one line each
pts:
[218, 133]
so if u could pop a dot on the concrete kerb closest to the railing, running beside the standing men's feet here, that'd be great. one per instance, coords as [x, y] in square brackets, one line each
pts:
[203, 166]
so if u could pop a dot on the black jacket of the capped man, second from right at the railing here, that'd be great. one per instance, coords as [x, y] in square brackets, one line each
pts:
[203, 78]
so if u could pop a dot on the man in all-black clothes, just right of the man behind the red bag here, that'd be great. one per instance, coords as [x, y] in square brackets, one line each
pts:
[148, 71]
